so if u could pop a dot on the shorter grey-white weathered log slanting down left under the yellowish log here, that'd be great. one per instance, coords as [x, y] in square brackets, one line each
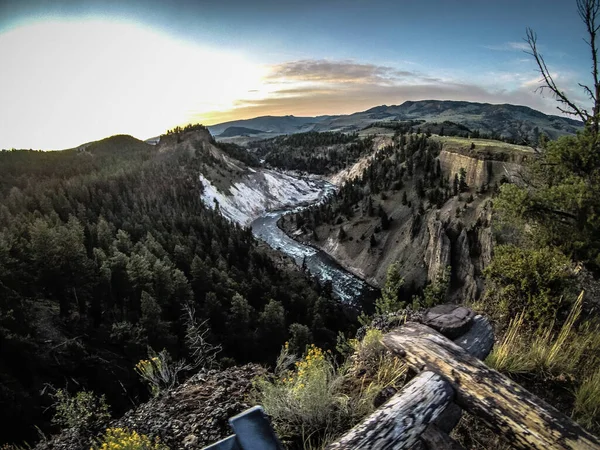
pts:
[399, 423]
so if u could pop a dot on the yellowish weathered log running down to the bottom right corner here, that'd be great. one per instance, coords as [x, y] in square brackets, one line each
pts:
[507, 408]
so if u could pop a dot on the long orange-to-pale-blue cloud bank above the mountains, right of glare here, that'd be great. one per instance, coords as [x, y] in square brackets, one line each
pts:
[324, 87]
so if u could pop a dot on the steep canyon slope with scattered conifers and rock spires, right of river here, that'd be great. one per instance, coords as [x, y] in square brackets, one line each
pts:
[399, 209]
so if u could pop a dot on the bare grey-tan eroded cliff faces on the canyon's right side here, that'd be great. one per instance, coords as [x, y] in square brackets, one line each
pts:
[424, 244]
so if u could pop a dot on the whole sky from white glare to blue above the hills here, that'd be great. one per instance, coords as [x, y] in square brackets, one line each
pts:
[77, 71]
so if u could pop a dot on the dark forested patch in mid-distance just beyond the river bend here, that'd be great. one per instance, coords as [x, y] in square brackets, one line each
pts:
[313, 152]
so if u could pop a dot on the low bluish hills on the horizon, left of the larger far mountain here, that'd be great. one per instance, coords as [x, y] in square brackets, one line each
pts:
[272, 124]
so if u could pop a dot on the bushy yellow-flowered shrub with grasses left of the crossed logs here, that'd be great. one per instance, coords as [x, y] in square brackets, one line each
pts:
[313, 400]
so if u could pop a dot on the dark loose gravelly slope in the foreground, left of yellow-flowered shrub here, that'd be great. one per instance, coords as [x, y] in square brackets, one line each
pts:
[190, 416]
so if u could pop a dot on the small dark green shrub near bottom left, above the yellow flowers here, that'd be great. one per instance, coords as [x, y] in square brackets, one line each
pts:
[83, 410]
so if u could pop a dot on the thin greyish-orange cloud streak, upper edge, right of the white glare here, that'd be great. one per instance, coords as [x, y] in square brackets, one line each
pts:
[345, 71]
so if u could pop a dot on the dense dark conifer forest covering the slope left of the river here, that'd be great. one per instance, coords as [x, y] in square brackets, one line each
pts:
[99, 251]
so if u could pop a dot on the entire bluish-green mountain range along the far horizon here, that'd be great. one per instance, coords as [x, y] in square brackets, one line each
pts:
[507, 121]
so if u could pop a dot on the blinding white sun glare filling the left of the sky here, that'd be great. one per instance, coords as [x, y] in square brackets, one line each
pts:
[87, 80]
